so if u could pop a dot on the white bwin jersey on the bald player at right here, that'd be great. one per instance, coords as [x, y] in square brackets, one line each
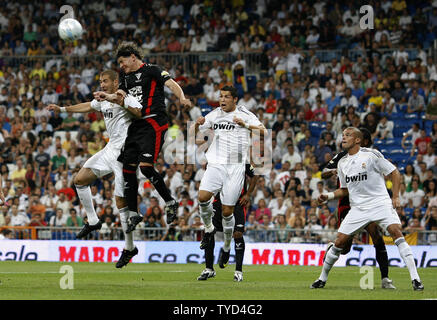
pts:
[363, 175]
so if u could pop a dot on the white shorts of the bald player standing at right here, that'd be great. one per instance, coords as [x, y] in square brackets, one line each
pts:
[357, 219]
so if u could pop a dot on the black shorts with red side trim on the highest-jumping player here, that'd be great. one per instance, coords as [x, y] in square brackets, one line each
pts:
[144, 141]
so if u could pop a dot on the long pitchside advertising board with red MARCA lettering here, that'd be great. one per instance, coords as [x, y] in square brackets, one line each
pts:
[189, 252]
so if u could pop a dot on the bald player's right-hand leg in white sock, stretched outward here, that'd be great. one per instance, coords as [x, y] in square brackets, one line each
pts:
[406, 254]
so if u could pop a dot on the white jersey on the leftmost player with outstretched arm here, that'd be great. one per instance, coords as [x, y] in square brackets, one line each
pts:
[117, 119]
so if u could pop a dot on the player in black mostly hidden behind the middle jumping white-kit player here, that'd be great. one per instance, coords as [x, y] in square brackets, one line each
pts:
[240, 219]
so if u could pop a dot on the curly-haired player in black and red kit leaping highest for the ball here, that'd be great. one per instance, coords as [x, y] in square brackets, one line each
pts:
[146, 135]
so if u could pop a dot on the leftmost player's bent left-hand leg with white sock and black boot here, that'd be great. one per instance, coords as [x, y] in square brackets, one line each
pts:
[82, 182]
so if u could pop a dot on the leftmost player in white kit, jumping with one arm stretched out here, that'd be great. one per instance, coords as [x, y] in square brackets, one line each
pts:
[117, 120]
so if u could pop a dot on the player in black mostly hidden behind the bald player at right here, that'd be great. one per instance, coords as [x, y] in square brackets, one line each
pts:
[373, 229]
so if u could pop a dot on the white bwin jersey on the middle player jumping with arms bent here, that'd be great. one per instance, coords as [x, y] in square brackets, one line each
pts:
[230, 144]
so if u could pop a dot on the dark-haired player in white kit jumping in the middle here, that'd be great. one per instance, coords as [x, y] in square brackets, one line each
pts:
[227, 157]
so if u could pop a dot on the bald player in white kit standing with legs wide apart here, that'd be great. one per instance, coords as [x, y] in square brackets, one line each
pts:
[361, 173]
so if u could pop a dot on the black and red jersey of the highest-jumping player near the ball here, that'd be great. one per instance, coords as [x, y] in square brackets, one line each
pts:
[147, 86]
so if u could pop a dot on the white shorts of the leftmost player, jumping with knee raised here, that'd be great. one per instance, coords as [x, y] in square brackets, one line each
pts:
[105, 162]
